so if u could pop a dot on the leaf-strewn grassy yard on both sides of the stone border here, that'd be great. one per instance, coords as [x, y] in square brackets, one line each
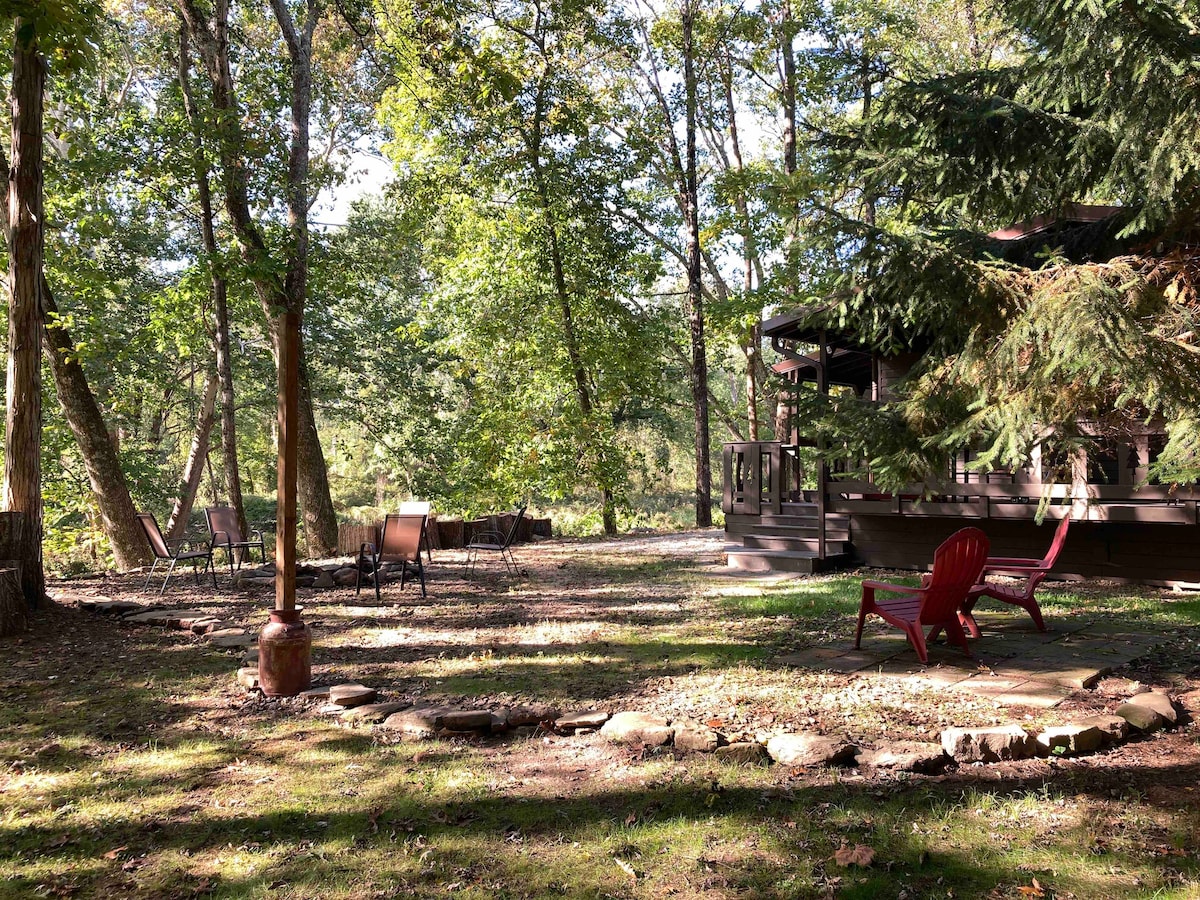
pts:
[131, 764]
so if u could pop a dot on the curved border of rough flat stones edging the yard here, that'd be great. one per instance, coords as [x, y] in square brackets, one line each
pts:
[1143, 713]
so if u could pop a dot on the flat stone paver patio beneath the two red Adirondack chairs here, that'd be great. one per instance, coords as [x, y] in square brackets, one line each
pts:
[1012, 664]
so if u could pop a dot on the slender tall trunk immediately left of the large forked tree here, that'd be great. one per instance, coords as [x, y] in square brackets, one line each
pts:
[218, 291]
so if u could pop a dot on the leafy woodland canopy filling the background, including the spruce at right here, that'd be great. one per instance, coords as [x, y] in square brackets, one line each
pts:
[514, 315]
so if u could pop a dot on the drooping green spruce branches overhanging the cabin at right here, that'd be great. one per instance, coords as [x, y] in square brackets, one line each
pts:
[1059, 351]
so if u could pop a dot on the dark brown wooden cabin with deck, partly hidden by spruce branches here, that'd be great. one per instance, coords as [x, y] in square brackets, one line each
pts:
[787, 519]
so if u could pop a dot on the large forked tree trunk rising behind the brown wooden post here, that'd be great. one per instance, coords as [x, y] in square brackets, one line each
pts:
[212, 37]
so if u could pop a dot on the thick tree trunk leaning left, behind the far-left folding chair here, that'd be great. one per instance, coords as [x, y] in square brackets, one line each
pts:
[82, 412]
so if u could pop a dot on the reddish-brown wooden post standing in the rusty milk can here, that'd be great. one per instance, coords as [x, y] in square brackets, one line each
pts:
[290, 431]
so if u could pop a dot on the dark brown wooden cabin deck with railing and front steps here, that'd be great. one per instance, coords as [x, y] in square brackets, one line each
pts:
[1148, 535]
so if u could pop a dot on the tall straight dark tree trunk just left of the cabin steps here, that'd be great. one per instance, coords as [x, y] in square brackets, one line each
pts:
[695, 289]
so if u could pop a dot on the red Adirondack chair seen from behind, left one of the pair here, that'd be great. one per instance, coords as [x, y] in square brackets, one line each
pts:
[935, 604]
